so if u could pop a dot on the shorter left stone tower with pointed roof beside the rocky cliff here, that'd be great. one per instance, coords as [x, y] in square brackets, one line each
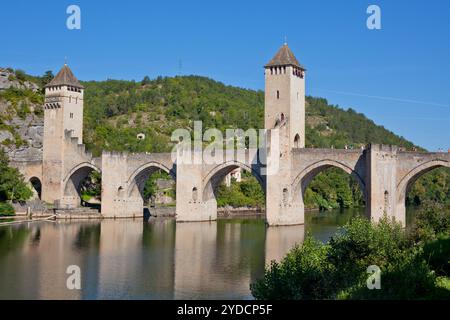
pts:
[63, 113]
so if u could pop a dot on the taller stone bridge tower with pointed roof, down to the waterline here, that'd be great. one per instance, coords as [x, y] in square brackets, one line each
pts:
[284, 117]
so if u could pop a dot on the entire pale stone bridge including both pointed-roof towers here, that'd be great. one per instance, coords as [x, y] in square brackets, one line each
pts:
[384, 173]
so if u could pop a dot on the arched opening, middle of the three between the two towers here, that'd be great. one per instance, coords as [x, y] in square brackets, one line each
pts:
[153, 189]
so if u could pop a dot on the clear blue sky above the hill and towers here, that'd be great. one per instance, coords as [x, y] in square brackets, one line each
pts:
[398, 76]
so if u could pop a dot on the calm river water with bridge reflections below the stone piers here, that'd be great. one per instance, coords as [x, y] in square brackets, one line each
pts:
[159, 259]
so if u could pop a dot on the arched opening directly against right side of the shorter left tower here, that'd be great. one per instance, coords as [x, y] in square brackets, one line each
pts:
[83, 187]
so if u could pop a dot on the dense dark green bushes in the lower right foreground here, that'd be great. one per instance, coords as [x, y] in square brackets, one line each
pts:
[411, 267]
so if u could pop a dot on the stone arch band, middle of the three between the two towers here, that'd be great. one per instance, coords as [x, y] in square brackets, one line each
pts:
[137, 180]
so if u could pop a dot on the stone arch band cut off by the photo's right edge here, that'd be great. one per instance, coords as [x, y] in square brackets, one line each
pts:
[413, 175]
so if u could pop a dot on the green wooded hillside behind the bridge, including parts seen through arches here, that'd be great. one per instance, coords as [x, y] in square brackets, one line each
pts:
[117, 110]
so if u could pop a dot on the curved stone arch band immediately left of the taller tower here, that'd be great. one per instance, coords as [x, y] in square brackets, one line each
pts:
[216, 175]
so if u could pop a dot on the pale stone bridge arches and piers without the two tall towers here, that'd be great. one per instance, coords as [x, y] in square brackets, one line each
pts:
[384, 174]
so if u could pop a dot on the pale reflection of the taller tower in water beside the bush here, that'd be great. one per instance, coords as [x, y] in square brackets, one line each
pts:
[280, 240]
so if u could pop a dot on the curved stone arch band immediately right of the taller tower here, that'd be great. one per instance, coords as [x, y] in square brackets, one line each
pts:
[303, 179]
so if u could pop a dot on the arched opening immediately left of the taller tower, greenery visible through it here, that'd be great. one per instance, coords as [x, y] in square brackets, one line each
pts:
[234, 186]
